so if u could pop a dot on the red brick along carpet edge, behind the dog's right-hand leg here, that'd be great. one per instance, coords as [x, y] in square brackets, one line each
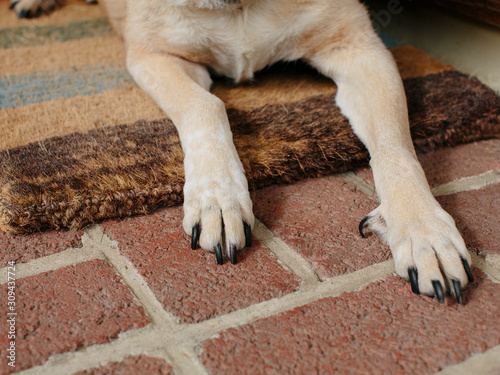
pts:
[450, 164]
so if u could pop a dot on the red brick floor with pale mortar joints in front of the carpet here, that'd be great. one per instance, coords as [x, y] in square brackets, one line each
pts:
[381, 328]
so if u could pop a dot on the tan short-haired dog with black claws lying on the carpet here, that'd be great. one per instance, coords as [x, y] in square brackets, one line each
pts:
[173, 47]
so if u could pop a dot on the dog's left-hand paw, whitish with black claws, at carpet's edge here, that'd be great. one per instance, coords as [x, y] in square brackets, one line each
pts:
[218, 211]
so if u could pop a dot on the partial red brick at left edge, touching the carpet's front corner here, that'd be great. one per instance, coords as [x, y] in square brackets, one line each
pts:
[22, 249]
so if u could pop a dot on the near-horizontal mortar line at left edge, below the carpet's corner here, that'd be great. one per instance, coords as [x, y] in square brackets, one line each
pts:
[56, 261]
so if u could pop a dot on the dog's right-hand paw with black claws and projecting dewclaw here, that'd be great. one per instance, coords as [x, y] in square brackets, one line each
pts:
[427, 248]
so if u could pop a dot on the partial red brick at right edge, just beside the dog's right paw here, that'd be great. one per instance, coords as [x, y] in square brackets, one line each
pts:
[477, 215]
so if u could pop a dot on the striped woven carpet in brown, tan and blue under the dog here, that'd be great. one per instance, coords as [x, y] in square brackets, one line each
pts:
[80, 142]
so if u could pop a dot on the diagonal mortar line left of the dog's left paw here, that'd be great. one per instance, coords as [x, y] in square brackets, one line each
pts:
[132, 279]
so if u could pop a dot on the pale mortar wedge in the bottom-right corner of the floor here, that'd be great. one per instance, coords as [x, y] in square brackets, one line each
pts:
[487, 363]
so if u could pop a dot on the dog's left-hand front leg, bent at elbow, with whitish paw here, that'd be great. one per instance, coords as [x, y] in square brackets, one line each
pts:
[217, 205]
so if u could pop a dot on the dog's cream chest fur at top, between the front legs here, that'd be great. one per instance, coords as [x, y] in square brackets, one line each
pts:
[233, 42]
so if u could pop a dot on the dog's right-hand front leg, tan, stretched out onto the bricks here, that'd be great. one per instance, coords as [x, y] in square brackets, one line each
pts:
[427, 248]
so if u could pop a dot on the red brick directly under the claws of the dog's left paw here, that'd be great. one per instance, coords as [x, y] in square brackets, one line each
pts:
[188, 282]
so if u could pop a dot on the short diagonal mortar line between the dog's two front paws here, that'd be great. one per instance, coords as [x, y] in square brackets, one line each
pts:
[286, 255]
